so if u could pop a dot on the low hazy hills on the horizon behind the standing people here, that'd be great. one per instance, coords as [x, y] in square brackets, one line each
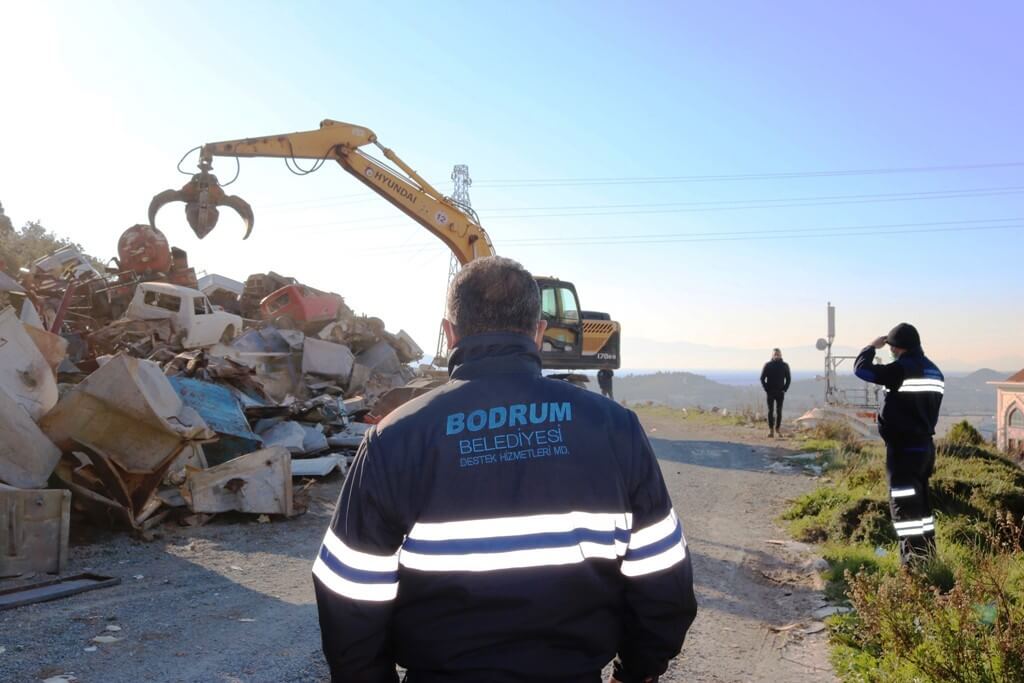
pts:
[968, 395]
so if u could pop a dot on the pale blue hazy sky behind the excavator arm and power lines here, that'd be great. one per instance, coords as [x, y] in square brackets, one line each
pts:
[677, 161]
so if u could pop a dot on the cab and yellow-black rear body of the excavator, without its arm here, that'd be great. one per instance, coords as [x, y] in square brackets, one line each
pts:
[575, 339]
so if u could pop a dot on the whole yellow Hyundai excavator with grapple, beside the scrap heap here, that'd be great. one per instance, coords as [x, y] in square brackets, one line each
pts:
[576, 339]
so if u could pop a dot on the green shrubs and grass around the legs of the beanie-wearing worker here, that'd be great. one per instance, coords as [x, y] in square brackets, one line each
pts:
[958, 617]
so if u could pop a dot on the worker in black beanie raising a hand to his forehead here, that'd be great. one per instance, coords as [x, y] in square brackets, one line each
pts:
[914, 395]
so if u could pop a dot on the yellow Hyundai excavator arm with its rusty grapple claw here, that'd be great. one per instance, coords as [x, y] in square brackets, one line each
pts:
[457, 227]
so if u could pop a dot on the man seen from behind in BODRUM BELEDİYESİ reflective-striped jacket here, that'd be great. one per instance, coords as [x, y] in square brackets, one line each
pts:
[504, 528]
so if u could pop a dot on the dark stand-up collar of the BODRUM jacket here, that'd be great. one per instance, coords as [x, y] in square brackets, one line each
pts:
[494, 354]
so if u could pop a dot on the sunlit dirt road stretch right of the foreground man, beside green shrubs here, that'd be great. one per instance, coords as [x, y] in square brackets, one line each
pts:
[729, 485]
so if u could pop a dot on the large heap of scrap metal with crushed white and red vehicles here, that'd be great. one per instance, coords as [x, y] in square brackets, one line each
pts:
[147, 397]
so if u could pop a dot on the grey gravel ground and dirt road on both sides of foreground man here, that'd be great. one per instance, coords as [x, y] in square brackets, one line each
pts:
[233, 602]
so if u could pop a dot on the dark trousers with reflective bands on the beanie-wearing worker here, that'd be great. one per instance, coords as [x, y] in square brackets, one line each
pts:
[910, 469]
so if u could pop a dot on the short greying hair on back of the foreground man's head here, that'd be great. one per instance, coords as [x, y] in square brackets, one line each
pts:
[494, 294]
